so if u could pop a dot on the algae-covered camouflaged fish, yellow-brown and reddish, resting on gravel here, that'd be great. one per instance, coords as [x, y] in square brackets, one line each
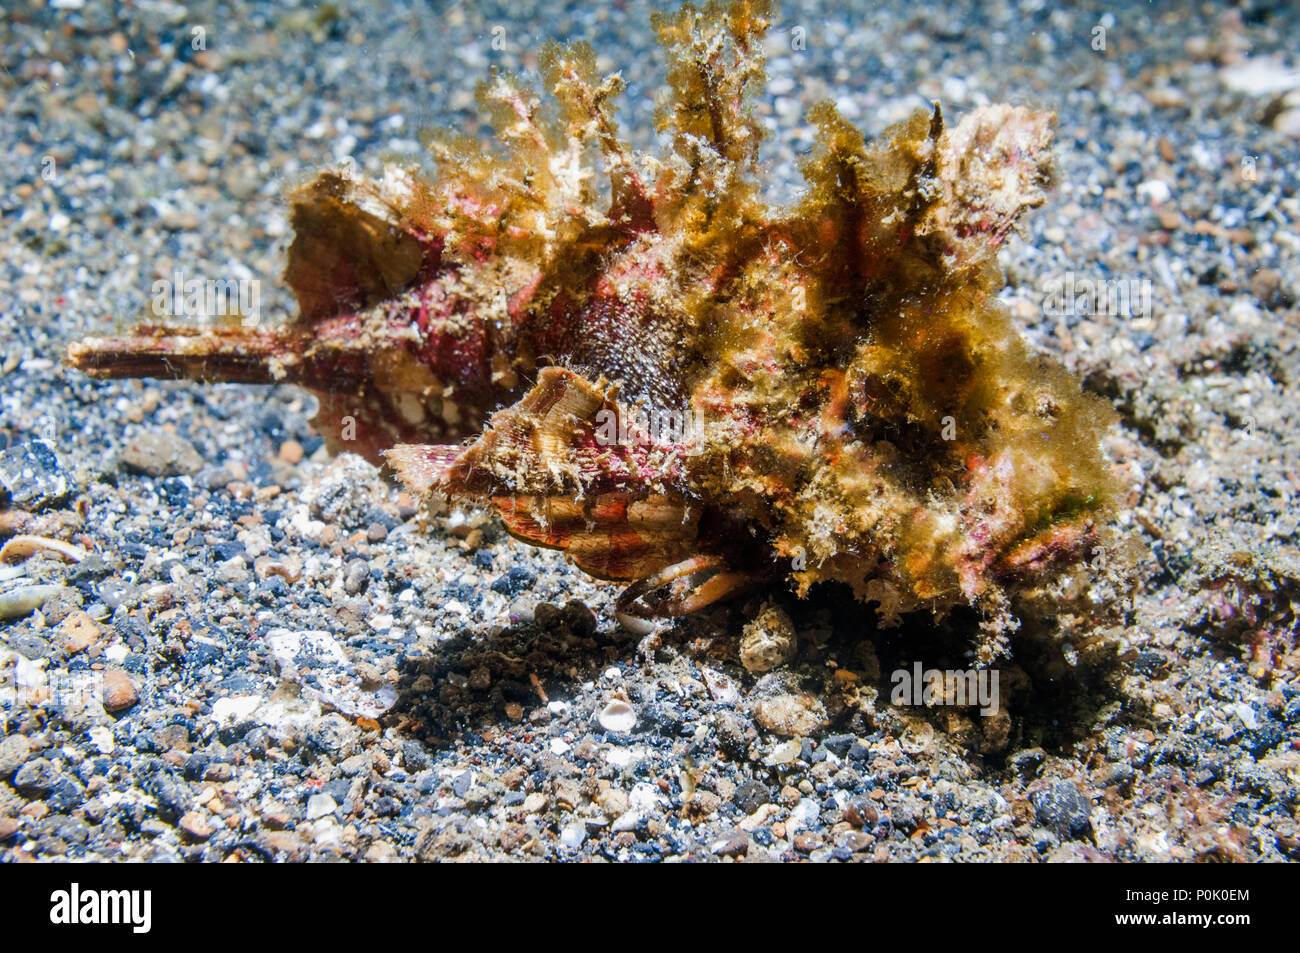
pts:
[638, 361]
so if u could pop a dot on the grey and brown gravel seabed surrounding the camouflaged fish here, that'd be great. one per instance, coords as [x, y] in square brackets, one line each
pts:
[291, 660]
